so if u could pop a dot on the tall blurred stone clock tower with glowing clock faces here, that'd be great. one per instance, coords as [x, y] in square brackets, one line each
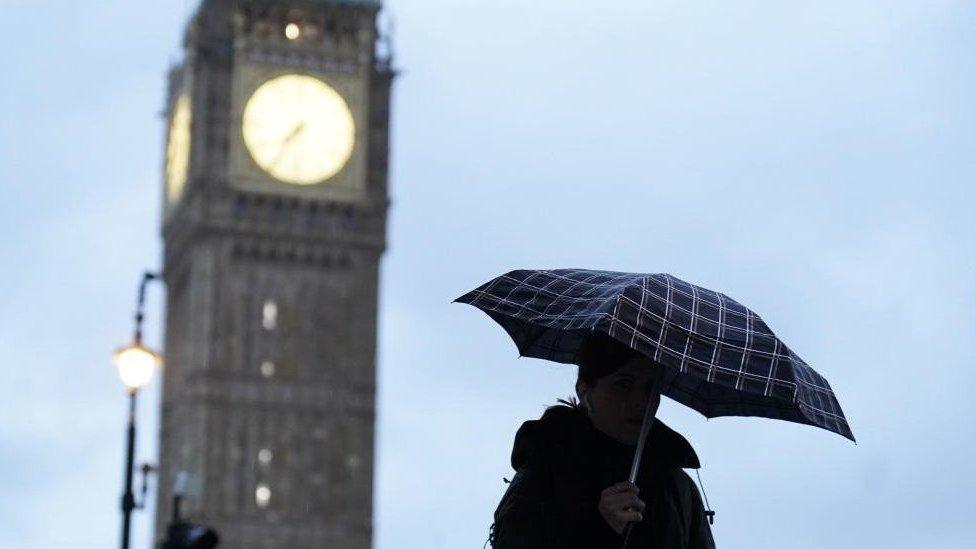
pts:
[274, 222]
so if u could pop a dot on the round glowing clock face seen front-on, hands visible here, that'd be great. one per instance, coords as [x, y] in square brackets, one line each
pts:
[298, 129]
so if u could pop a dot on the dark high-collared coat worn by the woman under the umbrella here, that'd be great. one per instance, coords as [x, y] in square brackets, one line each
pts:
[562, 463]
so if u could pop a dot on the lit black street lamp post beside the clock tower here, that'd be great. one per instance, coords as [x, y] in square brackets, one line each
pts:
[136, 365]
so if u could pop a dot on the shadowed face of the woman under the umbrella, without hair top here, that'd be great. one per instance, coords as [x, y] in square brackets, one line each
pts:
[616, 404]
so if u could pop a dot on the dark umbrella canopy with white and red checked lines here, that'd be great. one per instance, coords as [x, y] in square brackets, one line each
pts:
[720, 358]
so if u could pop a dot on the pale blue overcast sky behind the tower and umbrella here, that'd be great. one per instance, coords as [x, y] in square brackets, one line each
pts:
[814, 161]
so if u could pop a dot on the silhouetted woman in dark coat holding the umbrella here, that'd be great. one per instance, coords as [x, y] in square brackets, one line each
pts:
[570, 487]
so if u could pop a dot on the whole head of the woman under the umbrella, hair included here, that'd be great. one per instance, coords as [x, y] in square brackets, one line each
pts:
[616, 385]
